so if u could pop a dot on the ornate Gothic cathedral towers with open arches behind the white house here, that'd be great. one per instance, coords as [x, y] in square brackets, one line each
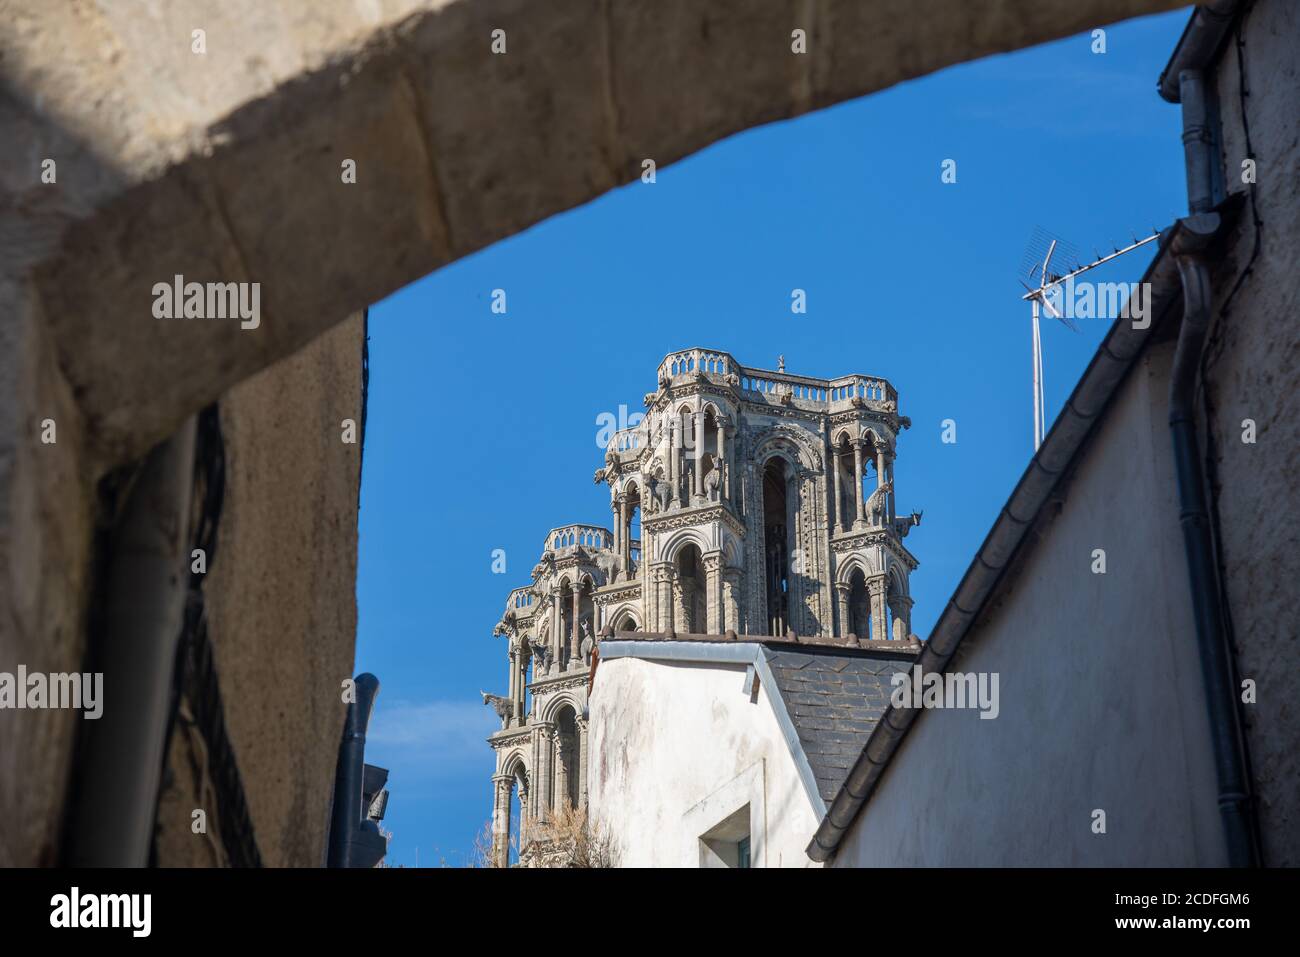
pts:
[746, 501]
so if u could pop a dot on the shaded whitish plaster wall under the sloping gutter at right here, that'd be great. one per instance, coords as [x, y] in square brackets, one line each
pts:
[1102, 696]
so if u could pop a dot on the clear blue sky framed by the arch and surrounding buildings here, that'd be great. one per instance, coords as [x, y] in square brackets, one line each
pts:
[483, 428]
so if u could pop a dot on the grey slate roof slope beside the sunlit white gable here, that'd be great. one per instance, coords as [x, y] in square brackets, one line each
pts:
[835, 701]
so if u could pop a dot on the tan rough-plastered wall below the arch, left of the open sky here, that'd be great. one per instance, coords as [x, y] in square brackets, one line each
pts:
[281, 601]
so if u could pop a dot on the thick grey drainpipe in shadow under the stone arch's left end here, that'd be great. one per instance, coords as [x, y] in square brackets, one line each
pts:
[111, 822]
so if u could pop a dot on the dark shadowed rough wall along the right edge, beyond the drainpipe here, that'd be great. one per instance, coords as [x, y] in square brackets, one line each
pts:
[1253, 370]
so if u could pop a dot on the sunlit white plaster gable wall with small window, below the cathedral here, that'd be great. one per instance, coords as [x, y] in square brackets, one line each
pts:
[675, 750]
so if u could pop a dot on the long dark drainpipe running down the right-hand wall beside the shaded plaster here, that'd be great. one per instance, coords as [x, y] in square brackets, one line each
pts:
[1193, 237]
